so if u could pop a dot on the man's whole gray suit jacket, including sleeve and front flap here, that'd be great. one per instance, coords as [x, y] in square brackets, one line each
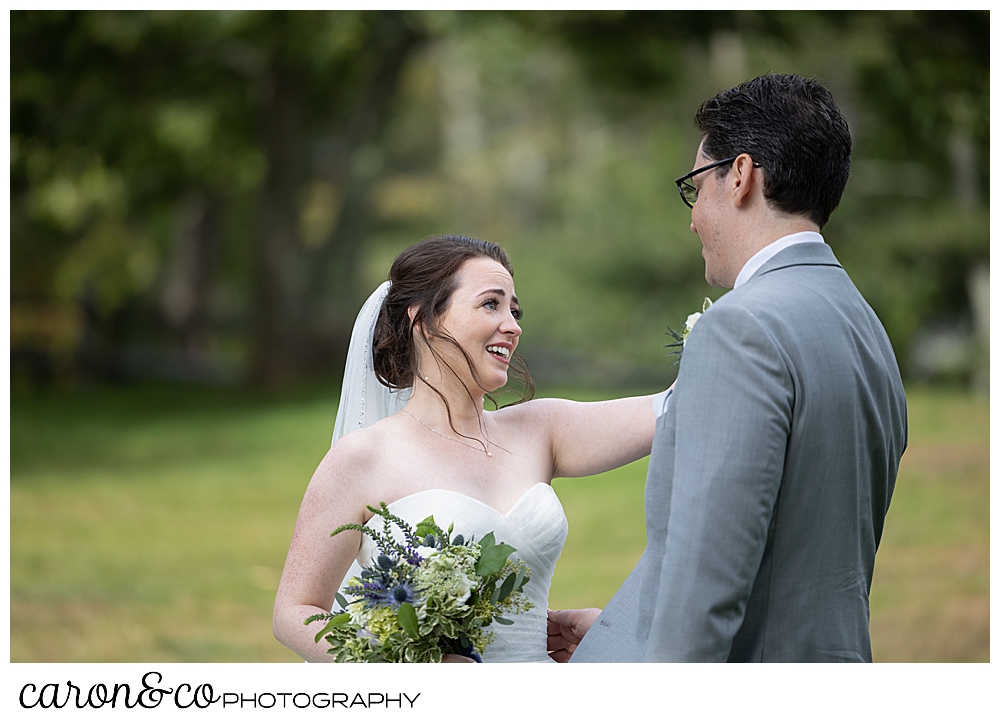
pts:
[769, 479]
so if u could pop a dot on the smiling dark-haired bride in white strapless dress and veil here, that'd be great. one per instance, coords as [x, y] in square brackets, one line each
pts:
[411, 431]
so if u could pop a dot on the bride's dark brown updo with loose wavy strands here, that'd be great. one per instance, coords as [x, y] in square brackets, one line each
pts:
[426, 275]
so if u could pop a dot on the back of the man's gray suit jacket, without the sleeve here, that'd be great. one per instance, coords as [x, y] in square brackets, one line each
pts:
[848, 430]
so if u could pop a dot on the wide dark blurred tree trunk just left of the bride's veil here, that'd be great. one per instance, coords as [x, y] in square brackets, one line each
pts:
[306, 299]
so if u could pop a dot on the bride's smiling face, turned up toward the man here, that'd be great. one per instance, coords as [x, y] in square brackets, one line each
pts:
[482, 318]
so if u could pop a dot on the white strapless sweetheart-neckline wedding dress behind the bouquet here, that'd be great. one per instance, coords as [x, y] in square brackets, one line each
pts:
[535, 526]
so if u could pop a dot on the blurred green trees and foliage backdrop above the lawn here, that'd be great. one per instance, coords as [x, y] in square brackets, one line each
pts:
[211, 195]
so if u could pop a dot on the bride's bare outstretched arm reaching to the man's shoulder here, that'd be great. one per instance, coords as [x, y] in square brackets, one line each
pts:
[588, 438]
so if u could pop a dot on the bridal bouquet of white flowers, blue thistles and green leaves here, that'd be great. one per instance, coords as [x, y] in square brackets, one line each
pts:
[429, 595]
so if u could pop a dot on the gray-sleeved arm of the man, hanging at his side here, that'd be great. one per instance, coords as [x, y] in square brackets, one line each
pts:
[733, 403]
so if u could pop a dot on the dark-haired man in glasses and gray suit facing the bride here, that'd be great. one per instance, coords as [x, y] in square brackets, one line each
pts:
[775, 457]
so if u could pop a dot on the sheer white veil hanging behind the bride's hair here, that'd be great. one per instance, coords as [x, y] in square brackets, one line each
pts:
[364, 400]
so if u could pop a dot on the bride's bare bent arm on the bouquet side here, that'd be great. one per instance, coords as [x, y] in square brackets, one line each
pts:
[316, 562]
